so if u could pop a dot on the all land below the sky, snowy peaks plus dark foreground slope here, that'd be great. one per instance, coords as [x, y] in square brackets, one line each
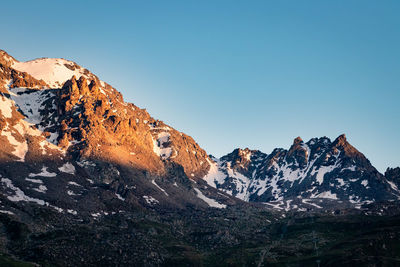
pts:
[87, 179]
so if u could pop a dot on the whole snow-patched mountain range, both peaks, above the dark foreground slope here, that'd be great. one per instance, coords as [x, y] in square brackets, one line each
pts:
[58, 119]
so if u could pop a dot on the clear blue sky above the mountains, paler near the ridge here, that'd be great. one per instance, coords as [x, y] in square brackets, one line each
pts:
[234, 73]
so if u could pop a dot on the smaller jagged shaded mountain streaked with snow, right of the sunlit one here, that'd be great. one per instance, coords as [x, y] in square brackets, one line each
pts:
[319, 172]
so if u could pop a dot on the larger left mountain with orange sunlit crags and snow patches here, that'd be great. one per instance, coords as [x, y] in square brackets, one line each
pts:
[67, 136]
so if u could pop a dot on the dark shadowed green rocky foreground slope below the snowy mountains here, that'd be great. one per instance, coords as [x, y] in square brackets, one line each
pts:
[233, 237]
